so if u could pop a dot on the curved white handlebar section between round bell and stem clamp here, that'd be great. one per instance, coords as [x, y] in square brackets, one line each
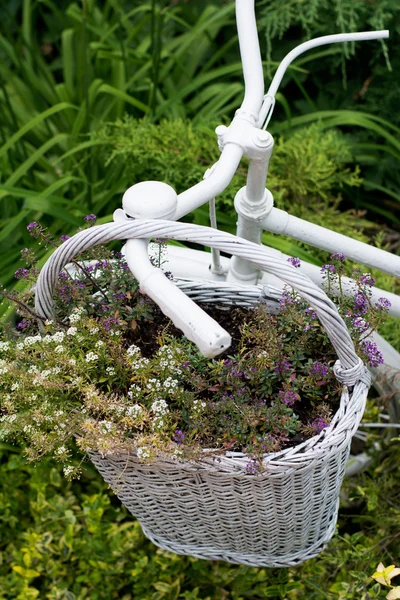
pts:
[219, 179]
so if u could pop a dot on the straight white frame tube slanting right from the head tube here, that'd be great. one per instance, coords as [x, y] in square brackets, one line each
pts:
[279, 221]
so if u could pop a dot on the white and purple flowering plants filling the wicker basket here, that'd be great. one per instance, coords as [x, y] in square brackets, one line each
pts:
[111, 374]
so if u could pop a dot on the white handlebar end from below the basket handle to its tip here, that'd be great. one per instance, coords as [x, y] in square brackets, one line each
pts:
[198, 326]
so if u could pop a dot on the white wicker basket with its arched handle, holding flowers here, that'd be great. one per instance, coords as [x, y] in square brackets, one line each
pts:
[213, 509]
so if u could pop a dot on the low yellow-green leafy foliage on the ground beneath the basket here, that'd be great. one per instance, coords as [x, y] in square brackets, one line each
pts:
[84, 545]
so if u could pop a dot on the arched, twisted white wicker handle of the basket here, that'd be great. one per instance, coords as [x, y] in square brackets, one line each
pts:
[348, 370]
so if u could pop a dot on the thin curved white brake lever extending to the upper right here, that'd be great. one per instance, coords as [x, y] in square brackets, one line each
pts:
[269, 100]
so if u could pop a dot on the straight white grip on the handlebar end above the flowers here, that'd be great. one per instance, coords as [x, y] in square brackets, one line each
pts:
[198, 326]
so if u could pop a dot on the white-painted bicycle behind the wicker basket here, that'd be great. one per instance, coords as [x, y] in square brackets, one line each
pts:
[201, 276]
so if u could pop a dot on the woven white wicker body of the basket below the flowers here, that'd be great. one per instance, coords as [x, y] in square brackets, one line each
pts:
[269, 521]
